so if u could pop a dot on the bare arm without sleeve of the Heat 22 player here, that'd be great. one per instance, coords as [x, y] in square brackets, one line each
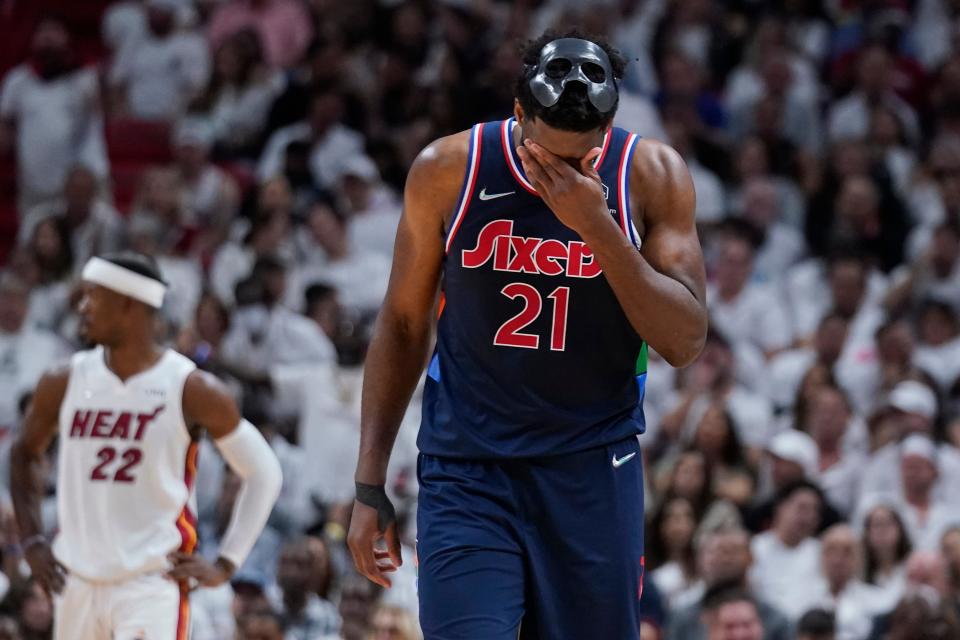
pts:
[26, 476]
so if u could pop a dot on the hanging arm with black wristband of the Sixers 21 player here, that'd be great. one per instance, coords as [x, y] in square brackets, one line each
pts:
[398, 350]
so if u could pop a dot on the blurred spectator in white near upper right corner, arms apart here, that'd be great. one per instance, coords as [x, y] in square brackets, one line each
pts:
[850, 117]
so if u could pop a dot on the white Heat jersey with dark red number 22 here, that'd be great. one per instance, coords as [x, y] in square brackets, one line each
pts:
[126, 469]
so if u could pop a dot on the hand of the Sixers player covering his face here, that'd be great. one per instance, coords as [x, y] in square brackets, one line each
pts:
[575, 196]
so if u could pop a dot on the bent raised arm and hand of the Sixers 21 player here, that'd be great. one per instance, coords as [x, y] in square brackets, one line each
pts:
[662, 288]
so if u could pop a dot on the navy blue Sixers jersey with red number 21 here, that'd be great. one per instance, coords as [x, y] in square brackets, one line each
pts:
[534, 354]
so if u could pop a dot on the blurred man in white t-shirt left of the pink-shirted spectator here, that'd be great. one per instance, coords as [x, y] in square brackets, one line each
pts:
[158, 75]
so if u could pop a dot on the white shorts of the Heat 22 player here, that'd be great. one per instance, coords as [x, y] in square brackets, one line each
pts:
[148, 607]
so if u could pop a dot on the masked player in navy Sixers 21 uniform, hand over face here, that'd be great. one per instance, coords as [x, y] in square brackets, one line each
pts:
[531, 488]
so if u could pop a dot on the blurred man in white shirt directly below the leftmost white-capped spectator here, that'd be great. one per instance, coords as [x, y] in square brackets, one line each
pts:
[787, 558]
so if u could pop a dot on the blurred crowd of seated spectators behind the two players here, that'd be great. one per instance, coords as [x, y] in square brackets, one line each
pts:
[799, 472]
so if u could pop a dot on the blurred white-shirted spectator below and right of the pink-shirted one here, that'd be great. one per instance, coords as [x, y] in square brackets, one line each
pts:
[330, 142]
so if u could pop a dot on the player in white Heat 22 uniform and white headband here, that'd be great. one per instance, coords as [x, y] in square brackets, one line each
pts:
[129, 414]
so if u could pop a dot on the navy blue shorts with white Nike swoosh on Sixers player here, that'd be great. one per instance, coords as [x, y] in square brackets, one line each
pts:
[548, 548]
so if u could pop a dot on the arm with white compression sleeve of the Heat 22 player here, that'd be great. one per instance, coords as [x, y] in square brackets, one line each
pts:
[208, 404]
